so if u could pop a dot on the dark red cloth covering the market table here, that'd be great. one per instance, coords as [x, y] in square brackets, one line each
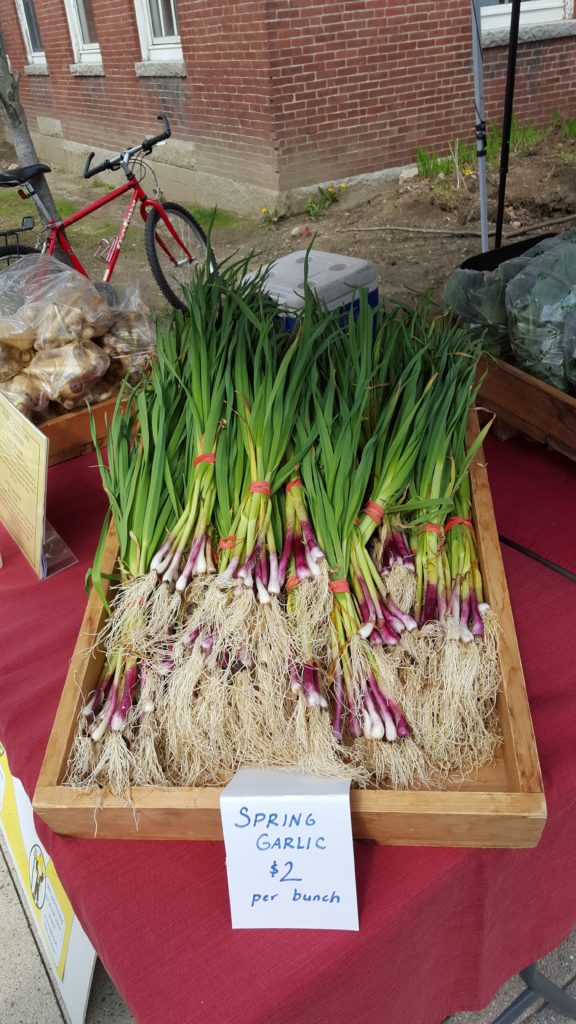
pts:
[440, 931]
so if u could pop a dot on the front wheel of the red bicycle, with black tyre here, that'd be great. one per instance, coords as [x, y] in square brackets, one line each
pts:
[174, 262]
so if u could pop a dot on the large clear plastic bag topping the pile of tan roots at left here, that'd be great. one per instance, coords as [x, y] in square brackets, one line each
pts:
[48, 305]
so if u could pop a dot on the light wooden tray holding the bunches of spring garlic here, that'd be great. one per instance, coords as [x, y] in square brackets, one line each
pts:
[504, 806]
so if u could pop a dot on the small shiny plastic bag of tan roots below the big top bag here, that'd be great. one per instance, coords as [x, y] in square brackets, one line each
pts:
[68, 375]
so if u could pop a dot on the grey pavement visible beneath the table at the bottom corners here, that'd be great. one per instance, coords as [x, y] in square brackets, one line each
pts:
[27, 996]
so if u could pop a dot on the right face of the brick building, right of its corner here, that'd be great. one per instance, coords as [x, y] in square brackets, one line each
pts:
[359, 84]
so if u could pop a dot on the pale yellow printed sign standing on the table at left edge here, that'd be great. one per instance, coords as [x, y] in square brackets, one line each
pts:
[24, 472]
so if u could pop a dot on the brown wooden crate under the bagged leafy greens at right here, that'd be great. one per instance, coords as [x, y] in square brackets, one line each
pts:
[528, 405]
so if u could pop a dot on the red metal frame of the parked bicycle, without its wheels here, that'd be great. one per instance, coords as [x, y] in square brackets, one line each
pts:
[56, 230]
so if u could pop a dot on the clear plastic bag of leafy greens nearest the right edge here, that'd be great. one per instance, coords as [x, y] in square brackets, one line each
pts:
[540, 301]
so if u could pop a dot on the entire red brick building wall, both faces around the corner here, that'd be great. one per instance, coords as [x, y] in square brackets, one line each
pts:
[284, 94]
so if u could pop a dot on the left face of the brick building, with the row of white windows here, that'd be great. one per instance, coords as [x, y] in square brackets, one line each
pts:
[222, 107]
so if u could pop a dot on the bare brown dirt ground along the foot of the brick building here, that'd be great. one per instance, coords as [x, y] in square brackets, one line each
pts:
[416, 231]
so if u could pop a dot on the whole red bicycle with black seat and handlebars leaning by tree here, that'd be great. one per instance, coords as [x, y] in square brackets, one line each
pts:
[176, 243]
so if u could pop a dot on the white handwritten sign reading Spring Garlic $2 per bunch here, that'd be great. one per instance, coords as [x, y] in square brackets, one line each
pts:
[290, 851]
